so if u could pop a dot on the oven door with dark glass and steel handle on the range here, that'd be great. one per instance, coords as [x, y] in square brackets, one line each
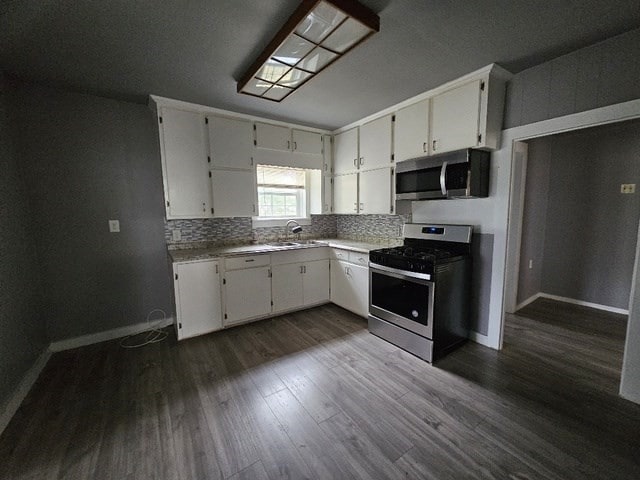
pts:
[402, 298]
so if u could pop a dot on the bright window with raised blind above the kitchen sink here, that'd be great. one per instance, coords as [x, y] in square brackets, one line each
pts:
[282, 192]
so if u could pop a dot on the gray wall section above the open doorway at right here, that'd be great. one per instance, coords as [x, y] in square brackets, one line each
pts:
[602, 74]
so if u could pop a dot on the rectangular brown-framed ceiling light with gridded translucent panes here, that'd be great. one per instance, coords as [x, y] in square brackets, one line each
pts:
[316, 35]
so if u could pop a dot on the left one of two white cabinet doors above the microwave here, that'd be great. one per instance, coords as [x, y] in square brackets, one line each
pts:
[411, 135]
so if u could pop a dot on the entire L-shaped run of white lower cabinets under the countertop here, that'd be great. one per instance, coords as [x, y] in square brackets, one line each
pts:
[226, 289]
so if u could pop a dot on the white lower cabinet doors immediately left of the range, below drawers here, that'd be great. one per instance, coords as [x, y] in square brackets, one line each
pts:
[350, 286]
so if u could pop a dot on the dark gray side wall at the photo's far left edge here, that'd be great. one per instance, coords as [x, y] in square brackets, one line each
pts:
[22, 330]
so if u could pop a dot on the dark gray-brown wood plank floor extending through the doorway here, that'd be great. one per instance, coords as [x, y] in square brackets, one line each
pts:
[314, 395]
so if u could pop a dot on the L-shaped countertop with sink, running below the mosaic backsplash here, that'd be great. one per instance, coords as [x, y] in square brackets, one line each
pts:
[192, 254]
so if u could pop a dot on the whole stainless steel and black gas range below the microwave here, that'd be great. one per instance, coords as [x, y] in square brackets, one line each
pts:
[419, 292]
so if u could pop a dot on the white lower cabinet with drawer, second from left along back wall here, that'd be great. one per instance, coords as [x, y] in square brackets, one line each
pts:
[247, 290]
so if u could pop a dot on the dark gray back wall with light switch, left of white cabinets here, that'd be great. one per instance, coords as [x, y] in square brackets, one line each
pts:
[86, 160]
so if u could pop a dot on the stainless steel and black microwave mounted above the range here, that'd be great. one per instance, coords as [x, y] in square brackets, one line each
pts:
[459, 174]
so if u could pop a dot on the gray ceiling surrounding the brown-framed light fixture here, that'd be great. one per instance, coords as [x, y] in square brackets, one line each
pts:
[195, 50]
